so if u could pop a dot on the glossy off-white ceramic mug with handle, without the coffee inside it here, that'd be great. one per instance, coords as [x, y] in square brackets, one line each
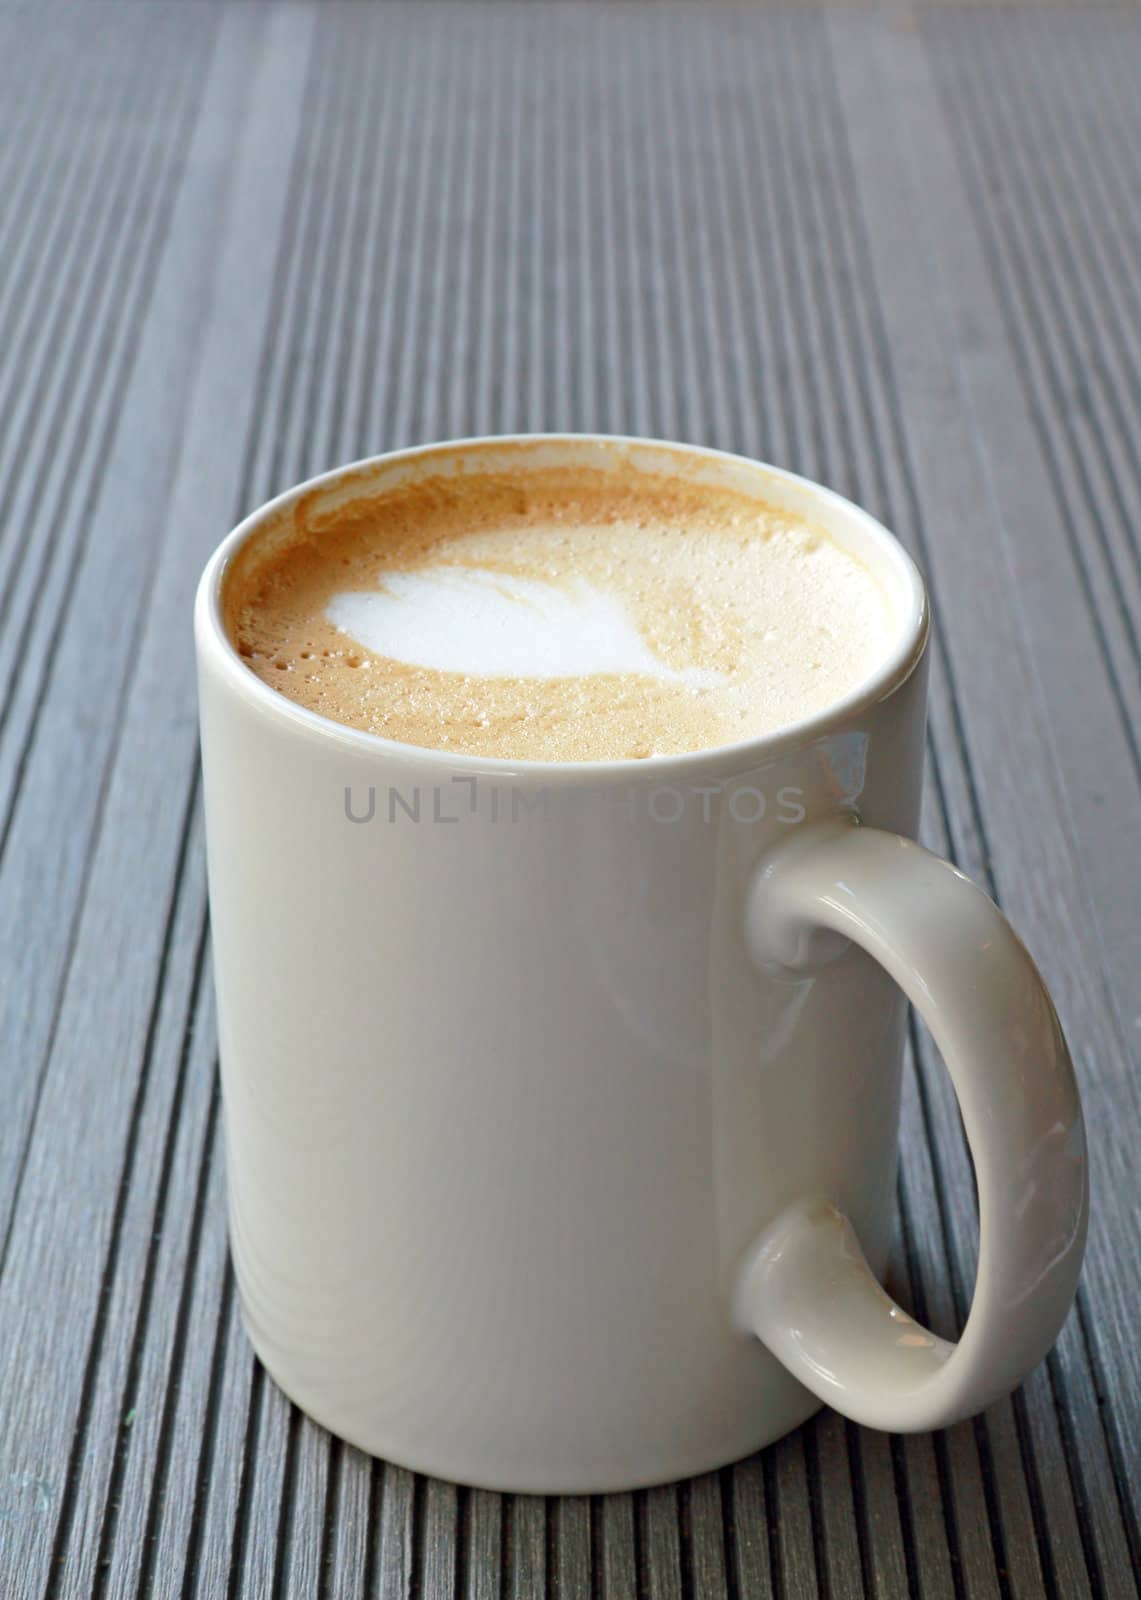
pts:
[562, 1100]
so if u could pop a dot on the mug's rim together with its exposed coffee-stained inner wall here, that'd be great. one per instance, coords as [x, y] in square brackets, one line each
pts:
[326, 500]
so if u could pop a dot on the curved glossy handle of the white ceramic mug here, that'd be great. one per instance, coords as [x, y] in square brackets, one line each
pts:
[806, 1289]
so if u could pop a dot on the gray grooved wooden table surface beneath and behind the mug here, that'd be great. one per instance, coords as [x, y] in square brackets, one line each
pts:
[892, 249]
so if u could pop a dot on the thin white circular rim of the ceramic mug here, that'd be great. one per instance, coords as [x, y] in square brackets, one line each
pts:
[742, 756]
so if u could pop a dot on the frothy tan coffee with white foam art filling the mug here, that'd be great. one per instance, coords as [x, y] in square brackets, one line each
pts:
[558, 615]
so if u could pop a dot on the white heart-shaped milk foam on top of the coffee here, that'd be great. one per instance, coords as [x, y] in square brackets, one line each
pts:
[500, 626]
